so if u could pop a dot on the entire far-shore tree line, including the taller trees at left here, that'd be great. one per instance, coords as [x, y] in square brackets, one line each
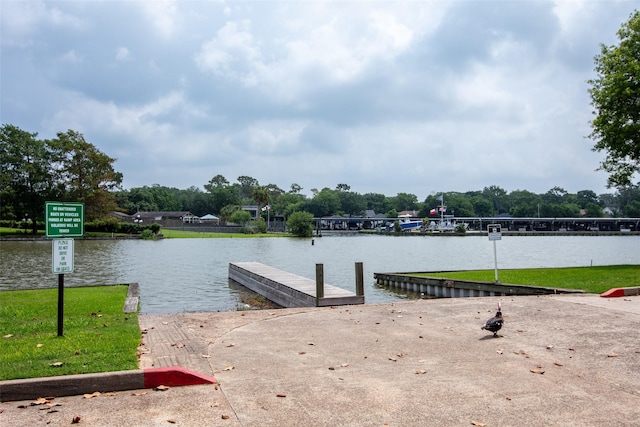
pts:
[68, 168]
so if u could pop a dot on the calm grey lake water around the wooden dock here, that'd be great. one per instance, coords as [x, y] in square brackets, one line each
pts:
[177, 275]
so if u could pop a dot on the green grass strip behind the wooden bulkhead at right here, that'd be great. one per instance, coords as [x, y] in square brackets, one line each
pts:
[590, 279]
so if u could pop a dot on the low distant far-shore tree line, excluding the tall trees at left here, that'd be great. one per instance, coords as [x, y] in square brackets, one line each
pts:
[223, 198]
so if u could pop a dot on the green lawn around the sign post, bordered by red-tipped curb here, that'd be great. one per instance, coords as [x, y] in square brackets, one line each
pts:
[98, 335]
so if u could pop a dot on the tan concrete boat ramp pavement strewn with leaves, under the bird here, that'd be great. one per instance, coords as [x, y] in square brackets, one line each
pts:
[561, 360]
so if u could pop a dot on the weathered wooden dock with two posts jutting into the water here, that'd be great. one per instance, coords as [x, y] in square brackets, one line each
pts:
[288, 289]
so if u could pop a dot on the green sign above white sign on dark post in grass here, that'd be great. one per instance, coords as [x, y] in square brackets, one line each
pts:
[63, 221]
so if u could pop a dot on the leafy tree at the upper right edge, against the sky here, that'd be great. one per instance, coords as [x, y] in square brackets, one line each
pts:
[615, 95]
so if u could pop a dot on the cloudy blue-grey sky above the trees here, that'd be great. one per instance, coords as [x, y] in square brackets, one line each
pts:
[387, 97]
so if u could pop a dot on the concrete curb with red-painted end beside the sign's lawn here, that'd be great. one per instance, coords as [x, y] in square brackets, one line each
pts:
[69, 385]
